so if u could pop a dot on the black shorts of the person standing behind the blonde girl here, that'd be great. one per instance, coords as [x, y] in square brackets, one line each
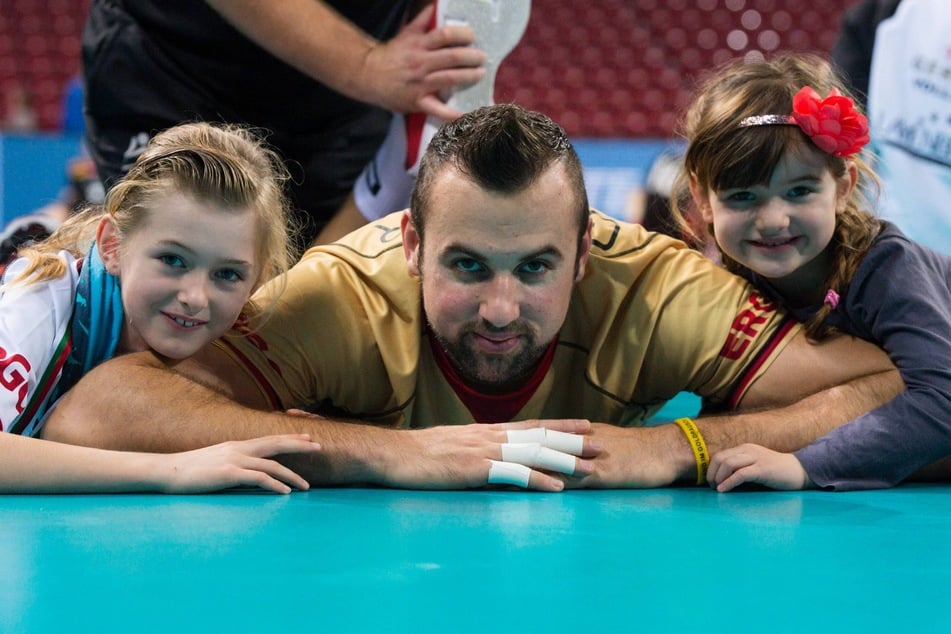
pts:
[133, 91]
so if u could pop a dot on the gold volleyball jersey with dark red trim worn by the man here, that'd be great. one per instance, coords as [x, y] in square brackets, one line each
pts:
[651, 318]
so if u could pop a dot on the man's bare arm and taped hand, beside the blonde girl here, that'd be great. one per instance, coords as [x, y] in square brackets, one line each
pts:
[135, 402]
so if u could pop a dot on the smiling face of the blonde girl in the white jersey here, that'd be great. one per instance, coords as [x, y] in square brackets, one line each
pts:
[185, 273]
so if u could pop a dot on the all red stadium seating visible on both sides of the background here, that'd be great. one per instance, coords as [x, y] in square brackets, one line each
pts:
[605, 68]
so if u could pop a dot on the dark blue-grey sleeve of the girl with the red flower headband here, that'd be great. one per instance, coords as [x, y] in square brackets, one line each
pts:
[901, 299]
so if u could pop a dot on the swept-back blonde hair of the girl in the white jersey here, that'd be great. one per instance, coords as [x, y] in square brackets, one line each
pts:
[228, 165]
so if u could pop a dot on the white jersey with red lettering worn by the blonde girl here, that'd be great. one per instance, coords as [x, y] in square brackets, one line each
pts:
[34, 319]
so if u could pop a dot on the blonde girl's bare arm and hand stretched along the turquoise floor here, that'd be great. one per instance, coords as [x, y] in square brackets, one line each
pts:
[31, 465]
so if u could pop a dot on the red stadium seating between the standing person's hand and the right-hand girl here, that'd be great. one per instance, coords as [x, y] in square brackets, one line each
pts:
[627, 67]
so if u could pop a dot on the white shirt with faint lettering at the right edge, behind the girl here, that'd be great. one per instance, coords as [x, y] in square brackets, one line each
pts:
[909, 108]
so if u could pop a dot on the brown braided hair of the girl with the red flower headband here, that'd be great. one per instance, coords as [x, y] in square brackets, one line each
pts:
[723, 155]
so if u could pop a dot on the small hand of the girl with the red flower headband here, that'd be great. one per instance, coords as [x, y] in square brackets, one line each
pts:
[752, 463]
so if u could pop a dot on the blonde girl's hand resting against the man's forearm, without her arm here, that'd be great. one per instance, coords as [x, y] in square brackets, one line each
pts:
[236, 463]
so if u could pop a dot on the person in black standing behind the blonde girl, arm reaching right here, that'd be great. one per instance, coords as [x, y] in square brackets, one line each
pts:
[320, 76]
